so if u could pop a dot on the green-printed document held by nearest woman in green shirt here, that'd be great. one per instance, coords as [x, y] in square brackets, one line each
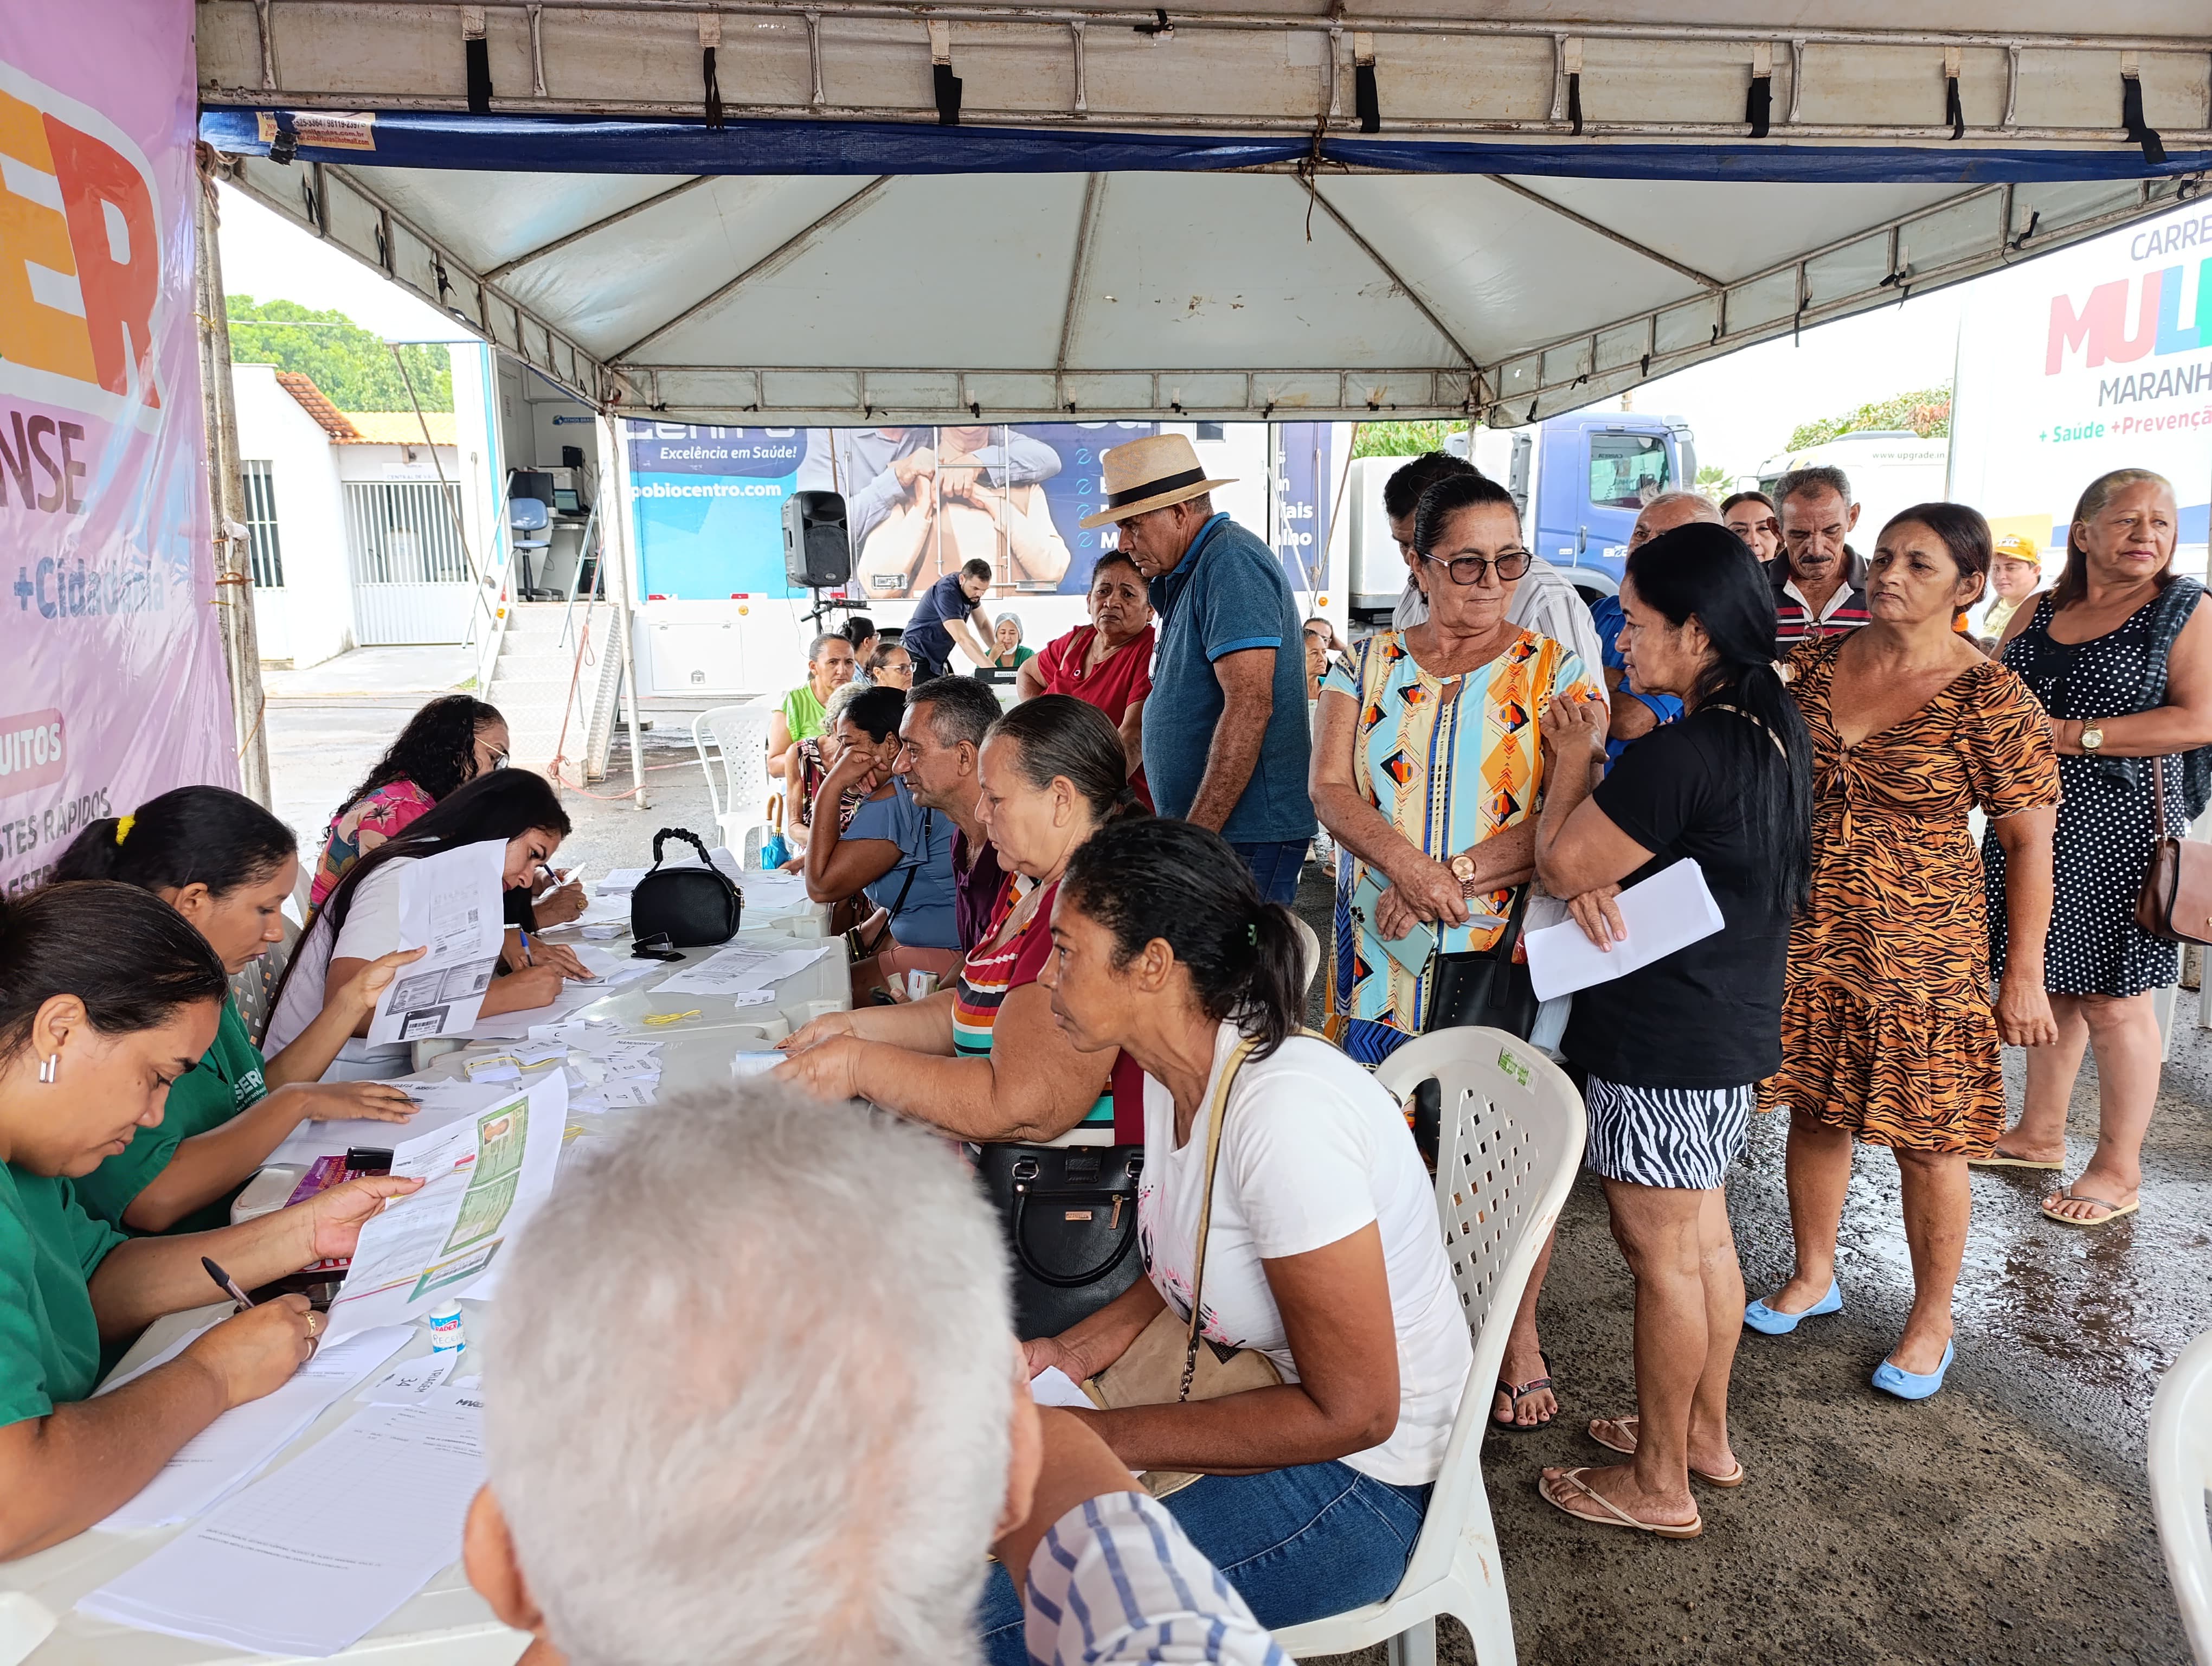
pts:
[486, 1176]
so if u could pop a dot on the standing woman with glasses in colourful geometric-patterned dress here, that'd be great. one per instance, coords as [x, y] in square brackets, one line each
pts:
[1428, 773]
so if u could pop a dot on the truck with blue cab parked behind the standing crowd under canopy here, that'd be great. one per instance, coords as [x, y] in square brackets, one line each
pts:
[1578, 483]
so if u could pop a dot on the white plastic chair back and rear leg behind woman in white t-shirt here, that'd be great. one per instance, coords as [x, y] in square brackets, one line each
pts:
[1507, 1156]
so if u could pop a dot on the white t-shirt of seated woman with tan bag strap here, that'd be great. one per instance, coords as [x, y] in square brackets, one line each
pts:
[1313, 1149]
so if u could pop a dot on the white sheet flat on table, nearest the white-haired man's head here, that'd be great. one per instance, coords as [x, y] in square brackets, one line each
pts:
[315, 1556]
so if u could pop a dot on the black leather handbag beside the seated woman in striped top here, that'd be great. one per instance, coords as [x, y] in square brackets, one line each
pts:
[1072, 1222]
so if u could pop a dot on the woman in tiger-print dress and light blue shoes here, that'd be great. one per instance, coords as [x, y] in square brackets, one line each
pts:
[1888, 1025]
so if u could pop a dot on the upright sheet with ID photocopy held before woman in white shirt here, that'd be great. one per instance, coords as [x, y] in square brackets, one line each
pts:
[450, 904]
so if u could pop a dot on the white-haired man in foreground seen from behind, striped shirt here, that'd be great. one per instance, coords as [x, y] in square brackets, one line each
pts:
[780, 1417]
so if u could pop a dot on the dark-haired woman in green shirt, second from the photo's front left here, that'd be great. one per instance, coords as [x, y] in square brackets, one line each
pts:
[227, 866]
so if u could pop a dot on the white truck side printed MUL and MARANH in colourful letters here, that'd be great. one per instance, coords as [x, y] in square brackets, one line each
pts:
[2091, 360]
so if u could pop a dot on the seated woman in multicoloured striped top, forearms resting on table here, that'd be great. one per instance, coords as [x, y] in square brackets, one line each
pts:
[985, 1059]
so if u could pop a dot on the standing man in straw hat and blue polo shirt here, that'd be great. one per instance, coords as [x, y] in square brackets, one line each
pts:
[1224, 729]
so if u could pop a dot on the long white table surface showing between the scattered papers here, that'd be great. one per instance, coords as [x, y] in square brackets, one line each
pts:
[446, 1623]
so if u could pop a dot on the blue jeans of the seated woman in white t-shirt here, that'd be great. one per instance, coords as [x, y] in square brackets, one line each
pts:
[1297, 1545]
